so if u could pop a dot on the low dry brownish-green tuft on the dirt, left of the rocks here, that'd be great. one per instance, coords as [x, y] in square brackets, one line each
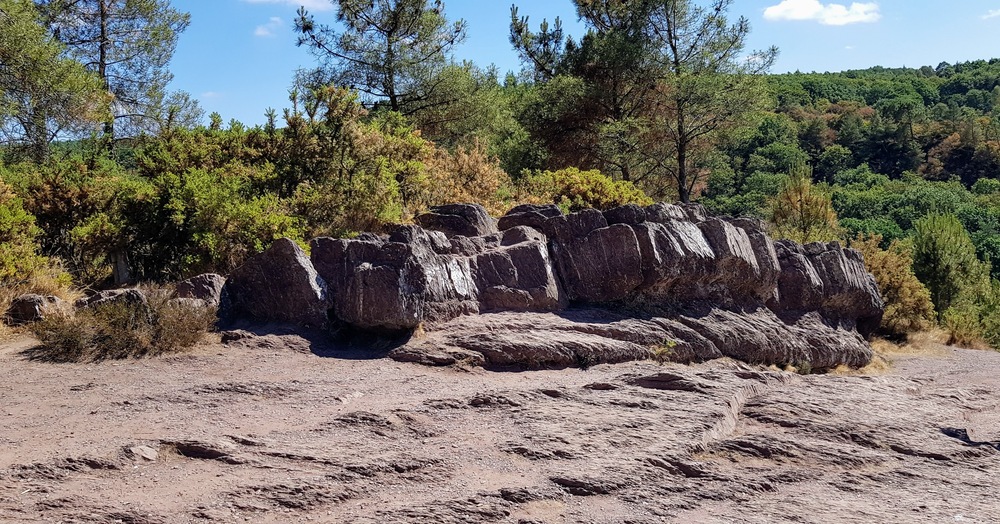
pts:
[116, 331]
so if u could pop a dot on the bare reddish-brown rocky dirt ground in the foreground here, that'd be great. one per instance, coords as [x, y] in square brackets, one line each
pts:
[267, 431]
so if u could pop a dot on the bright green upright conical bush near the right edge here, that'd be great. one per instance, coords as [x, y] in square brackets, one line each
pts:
[944, 259]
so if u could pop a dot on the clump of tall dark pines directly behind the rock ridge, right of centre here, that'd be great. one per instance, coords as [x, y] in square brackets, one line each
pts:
[653, 87]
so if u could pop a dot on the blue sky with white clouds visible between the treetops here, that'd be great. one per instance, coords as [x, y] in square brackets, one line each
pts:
[238, 56]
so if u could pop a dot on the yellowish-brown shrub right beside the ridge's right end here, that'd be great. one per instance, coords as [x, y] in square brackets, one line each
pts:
[908, 307]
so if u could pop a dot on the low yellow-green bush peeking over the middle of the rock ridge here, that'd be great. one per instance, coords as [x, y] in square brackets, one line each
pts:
[574, 190]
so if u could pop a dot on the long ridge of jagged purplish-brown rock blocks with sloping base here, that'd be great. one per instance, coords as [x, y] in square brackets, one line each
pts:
[540, 288]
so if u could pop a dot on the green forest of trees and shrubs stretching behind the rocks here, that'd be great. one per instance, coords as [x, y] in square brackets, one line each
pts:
[108, 179]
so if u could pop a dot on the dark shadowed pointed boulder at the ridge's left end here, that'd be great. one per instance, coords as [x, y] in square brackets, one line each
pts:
[279, 285]
